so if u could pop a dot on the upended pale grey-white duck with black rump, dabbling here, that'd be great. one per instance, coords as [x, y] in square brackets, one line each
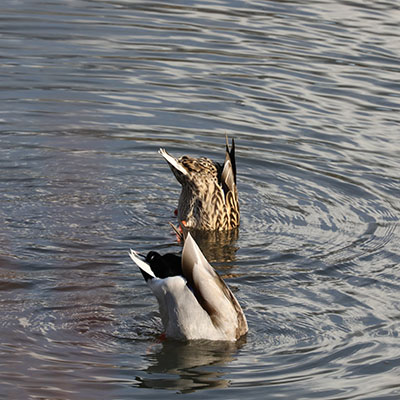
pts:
[194, 301]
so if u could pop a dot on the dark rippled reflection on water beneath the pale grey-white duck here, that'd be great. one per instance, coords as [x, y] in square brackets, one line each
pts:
[185, 366]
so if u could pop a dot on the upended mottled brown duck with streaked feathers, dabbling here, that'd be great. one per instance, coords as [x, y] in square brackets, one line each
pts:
[209, 198]
